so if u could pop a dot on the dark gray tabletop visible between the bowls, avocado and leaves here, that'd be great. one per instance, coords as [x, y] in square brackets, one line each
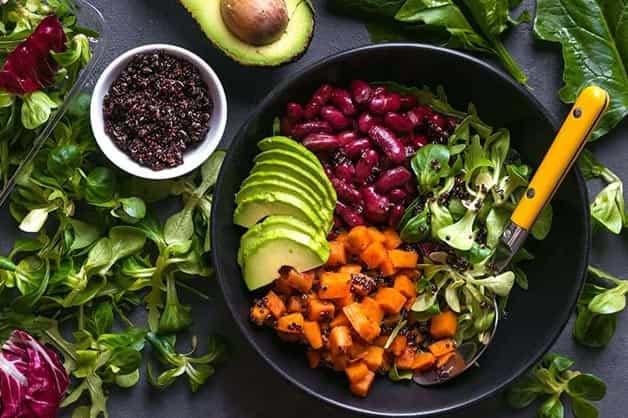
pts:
[246, 387]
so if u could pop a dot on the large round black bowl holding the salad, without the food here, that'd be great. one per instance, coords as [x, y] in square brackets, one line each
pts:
[535, 318]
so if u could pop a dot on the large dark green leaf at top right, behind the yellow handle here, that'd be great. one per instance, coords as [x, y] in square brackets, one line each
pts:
[590, 52]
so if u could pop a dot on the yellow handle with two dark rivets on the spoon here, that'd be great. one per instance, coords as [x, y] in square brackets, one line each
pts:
[569, 141]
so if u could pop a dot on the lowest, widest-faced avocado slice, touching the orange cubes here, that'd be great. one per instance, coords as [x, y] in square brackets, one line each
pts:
[277, 248]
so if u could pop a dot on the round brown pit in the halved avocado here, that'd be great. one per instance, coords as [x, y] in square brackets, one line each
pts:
[255, 22]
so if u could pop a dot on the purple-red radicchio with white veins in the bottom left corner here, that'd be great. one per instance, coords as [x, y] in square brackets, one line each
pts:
[32, 379]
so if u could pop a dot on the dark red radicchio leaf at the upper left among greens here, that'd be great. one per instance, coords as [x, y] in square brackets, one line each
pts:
[29, 67]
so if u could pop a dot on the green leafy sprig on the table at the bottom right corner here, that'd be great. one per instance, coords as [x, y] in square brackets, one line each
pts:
[549, 381]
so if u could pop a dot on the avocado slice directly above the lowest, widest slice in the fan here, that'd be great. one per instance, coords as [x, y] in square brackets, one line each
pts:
[252, 238]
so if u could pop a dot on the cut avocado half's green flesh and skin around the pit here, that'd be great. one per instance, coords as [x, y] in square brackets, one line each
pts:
[290, 46]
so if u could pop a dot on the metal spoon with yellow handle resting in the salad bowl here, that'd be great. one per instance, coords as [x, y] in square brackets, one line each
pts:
[569, 142]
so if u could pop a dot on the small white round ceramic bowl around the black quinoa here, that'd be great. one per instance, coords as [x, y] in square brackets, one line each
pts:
[193, 157]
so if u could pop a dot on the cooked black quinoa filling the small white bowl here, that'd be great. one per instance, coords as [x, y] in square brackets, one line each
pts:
[157, 107]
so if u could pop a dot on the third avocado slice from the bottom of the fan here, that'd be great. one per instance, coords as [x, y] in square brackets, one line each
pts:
[255, 208]
